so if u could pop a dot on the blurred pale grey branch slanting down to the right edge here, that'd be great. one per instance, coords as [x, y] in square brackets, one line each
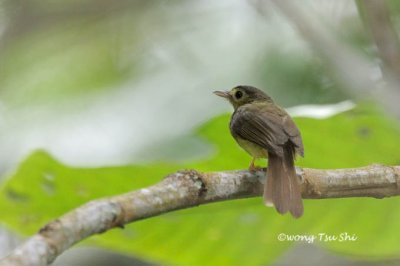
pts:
[349, 67]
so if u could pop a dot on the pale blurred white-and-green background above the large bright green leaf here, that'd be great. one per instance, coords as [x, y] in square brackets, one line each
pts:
[96, 83]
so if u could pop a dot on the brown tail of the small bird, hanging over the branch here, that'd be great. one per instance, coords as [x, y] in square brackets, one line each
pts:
[282, 188]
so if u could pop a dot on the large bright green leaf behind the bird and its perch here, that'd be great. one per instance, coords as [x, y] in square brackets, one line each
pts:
[241, 232]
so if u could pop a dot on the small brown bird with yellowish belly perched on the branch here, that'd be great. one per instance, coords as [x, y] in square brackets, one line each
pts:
[265, 130]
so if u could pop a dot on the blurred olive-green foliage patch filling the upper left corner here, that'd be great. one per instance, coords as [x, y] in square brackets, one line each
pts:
[53, 52]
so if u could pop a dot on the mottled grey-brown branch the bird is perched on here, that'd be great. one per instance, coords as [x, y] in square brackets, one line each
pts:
[185, 189]
